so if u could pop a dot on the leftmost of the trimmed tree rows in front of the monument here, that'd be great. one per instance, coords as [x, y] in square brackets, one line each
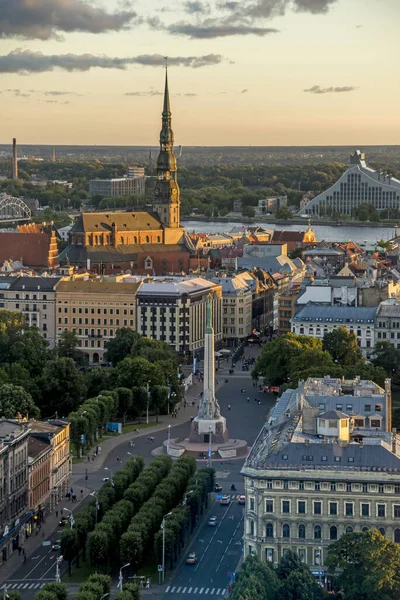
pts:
[74, 539]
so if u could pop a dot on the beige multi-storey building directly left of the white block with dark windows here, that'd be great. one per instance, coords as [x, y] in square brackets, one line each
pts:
[94, 308]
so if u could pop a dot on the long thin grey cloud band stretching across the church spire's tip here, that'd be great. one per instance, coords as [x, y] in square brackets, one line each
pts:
[26, 61]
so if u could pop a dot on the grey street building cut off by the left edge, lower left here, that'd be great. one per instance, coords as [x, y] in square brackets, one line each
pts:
[14, 512]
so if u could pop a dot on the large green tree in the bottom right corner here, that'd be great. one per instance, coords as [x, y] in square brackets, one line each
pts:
[369, 565]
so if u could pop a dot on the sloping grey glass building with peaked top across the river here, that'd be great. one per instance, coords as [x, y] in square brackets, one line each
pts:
[359, 184]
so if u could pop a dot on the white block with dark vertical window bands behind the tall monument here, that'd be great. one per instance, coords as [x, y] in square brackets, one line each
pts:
[174, 310]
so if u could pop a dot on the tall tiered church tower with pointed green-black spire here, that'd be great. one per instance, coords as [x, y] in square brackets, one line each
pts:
[166, 192]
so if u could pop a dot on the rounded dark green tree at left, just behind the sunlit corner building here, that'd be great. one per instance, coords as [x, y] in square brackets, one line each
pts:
[63, 387]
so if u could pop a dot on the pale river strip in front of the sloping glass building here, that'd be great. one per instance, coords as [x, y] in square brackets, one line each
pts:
[341, 233]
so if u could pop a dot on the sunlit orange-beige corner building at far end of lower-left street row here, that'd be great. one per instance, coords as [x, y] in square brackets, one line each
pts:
[56, 433]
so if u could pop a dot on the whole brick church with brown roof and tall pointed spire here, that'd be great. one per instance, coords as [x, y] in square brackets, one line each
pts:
[140, 242]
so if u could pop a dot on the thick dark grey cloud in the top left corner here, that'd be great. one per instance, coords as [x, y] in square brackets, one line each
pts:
[43, 19]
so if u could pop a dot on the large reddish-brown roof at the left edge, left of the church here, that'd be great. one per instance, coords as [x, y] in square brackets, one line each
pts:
[31, 248]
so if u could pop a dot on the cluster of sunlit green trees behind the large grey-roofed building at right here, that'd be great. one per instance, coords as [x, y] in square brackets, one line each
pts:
[291, 357]
